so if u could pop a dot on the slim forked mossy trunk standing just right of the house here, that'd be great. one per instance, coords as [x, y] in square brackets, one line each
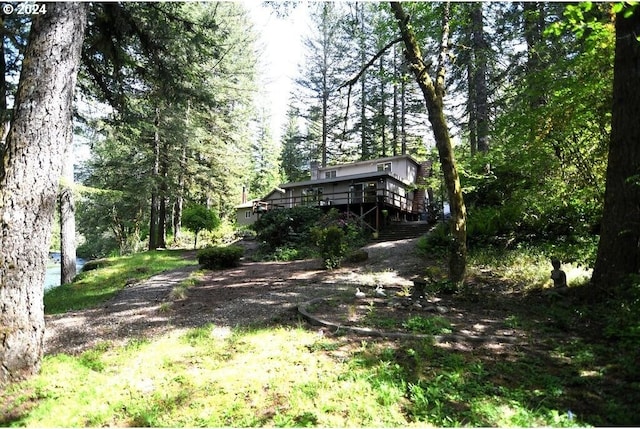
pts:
[433, 93]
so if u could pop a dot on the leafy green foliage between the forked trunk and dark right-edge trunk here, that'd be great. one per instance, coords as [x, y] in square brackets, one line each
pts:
[542, 178]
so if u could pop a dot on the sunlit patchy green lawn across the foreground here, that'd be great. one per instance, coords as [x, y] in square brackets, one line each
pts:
[283, 376]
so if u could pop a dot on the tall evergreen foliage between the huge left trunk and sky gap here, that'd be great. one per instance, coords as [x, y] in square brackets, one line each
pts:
[173, 134]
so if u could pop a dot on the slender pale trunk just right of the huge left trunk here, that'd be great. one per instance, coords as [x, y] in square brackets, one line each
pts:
[66, 206]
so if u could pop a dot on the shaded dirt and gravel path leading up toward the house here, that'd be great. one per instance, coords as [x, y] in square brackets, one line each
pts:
[255, 293]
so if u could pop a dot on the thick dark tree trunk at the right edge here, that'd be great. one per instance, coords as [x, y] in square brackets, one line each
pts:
[619, 247]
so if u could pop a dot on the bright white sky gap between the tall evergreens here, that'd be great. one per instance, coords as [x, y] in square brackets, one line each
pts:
[282, 53]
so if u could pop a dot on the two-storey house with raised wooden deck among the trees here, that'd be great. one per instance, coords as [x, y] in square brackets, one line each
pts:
[377, 191]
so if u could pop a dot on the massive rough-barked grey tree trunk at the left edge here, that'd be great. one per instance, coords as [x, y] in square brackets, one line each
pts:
[30, 169]
